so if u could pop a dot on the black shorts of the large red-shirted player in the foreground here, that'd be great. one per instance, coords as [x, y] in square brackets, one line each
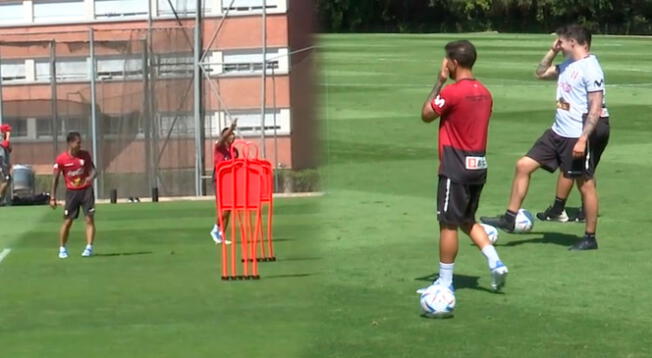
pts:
[457, 202]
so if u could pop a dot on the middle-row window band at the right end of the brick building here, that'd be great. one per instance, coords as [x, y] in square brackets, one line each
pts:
[247, 62]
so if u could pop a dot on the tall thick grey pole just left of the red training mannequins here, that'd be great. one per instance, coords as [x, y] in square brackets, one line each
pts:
[199, 125]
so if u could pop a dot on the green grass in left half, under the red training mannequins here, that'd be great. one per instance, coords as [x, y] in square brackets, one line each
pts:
[154, 288]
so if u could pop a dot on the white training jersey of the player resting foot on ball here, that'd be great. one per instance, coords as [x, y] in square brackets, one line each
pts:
[576, 79]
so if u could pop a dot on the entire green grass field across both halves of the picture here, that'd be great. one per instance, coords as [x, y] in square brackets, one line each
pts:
[349, 262]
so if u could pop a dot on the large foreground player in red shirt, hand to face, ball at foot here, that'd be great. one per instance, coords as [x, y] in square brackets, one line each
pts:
[465, 108]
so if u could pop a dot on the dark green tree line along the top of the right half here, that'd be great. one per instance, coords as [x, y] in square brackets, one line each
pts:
[627, 17]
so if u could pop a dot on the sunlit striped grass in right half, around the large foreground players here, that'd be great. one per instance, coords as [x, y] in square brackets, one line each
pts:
[381, 233]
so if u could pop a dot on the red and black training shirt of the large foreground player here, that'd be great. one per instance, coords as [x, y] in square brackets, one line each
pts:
[465, 108]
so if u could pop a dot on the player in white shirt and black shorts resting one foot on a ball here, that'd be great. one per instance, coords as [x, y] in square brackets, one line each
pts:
[580, 102]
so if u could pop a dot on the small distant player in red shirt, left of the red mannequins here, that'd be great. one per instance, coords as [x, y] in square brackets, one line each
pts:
[78, 171]
